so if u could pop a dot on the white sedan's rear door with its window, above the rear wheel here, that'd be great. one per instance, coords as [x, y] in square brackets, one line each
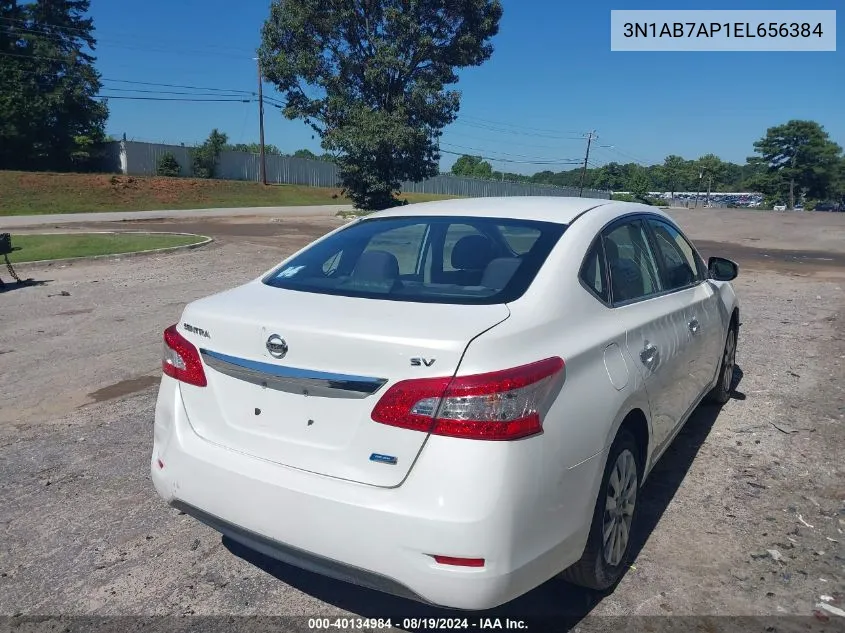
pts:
[657, 335]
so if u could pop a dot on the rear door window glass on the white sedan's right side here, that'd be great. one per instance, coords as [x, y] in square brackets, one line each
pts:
[631, 263]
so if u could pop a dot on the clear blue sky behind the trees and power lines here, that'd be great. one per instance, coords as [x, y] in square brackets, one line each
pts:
[551, 79]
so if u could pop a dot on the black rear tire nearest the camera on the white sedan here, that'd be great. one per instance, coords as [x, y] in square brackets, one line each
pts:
[600, 567]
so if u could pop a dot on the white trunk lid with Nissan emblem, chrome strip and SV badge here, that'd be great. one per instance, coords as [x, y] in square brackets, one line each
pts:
[344, 352]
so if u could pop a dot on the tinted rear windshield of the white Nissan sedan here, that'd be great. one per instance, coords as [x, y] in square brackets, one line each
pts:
[468, 260]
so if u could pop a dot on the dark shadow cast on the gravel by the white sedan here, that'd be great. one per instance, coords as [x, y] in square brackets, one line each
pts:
[554, 606]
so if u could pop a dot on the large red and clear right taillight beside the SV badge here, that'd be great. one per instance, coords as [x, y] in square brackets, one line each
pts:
[501, 405]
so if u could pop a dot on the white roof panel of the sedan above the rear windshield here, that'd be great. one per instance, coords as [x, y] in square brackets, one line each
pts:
[558, 209]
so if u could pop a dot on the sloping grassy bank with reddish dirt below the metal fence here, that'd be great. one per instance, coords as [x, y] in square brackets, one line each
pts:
[36, 193]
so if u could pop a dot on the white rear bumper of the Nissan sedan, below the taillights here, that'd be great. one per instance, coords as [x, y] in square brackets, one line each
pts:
[487, 502]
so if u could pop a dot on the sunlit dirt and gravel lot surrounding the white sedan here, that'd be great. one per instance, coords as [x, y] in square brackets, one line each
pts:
[744, 515]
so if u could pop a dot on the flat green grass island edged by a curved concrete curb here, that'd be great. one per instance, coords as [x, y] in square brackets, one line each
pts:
[59, 246]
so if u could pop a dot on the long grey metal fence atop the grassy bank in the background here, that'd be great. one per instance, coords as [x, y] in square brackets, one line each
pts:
[141, 159]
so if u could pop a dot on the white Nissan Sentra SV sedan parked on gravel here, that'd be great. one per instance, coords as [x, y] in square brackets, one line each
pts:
[452, 401]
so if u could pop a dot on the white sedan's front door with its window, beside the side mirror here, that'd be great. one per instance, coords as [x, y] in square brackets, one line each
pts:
[683, 273]
